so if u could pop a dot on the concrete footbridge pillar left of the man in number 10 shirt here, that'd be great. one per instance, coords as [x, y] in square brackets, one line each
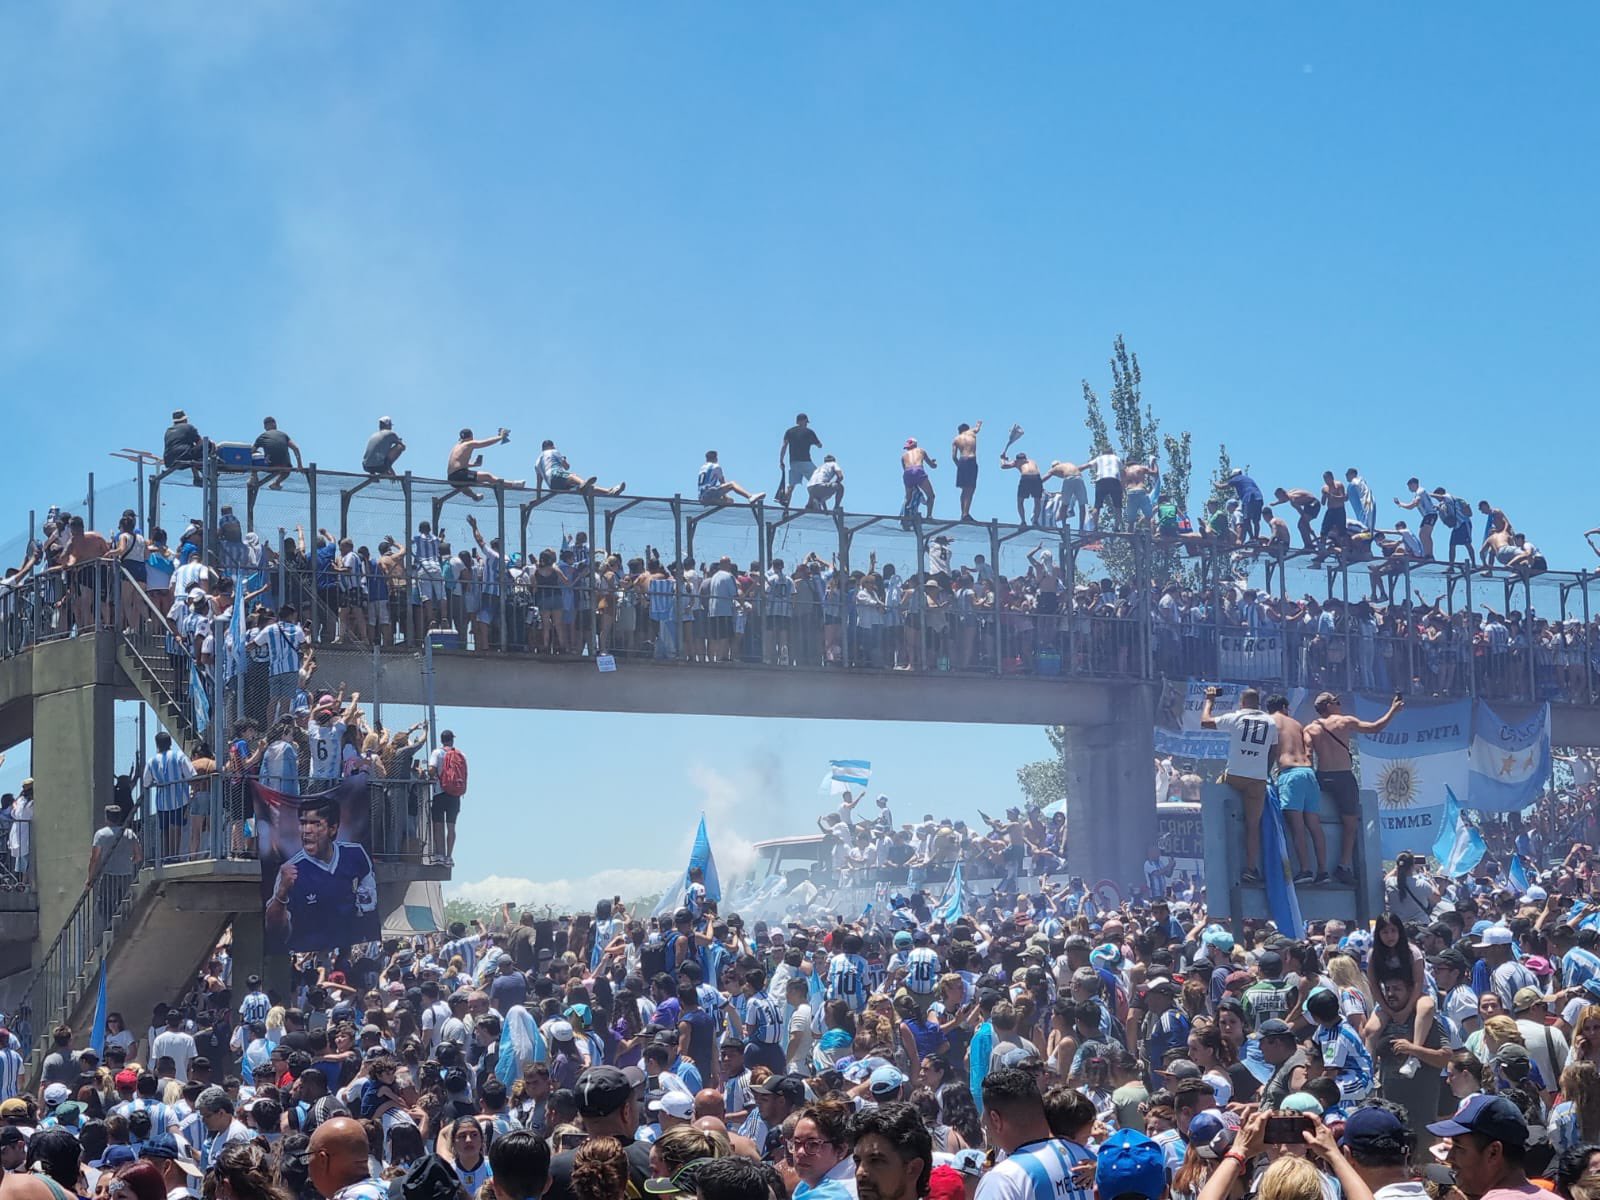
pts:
[1111, 791]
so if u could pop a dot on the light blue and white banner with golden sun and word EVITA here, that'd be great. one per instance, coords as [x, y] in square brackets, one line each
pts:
[1412, 766]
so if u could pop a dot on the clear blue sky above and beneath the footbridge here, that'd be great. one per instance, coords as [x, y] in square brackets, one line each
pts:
[1335, 238]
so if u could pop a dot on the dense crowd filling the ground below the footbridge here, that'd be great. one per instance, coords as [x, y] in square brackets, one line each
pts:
[1004, 1046]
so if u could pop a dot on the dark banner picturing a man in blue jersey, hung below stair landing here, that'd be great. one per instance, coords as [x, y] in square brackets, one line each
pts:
[318, 884]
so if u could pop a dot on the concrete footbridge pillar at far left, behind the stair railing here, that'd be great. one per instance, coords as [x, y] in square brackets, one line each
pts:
[74, 772]
